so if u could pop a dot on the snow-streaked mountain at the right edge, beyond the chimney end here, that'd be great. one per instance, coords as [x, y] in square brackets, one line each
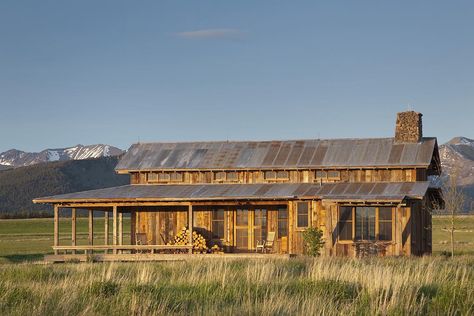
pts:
[458, 155]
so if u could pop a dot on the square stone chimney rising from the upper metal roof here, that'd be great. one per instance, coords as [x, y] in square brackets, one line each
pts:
[409, 127]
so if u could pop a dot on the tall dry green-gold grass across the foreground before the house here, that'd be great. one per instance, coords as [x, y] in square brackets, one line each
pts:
[328, 286]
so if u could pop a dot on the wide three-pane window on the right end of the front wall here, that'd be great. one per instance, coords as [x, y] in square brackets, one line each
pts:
[365, 223]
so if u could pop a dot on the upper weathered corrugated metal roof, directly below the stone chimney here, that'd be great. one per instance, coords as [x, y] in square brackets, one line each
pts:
[335, 153]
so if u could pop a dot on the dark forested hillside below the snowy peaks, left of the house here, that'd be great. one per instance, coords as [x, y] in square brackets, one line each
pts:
[20, 185]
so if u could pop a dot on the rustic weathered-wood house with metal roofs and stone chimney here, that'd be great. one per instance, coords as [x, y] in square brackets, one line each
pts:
[366, 195]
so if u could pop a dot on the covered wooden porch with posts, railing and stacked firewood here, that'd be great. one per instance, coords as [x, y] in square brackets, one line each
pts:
[135, 231]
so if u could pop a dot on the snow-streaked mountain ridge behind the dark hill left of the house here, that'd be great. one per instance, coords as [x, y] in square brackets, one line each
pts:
[17, 158]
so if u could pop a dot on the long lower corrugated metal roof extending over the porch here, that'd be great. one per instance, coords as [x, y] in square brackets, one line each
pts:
[194, 192]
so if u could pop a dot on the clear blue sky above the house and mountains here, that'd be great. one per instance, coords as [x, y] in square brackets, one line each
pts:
[117, 72]
